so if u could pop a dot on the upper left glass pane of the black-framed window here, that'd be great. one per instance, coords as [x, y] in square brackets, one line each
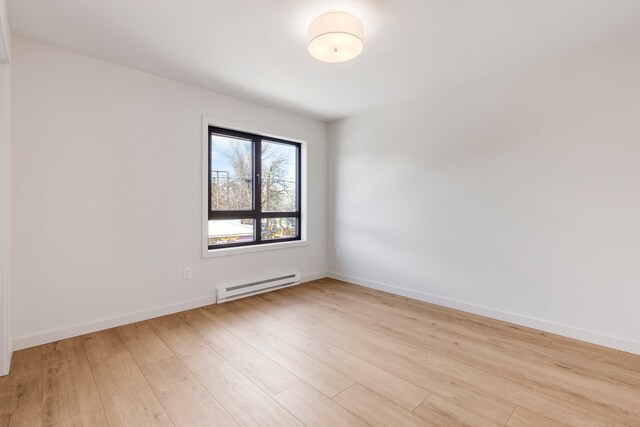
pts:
[231, 173]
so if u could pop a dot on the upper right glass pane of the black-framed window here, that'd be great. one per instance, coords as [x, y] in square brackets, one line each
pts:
[279, 177]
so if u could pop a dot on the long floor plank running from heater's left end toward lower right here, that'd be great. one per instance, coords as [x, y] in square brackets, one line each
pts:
[400, 391]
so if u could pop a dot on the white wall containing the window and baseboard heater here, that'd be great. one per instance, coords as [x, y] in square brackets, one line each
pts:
[107, 194]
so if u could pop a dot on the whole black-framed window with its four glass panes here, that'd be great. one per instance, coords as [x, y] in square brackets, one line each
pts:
[254, 189]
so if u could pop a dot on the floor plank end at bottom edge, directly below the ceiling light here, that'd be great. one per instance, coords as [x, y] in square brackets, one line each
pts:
[300, 397]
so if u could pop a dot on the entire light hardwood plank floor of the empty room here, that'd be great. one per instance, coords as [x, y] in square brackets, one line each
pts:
[325, 353]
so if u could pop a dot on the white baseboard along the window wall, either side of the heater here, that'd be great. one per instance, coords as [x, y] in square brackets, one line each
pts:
[112, 322]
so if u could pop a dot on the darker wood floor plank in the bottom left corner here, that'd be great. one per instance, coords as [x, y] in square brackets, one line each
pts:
[21, 390]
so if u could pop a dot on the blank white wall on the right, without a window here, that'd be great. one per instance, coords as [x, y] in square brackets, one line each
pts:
[517, 197]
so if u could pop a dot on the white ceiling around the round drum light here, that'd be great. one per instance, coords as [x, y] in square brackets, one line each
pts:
[255, 49]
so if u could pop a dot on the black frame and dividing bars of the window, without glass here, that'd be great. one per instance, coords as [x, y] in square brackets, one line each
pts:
[256, 213]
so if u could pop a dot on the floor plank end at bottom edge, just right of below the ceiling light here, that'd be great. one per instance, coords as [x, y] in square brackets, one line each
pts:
[376, 410]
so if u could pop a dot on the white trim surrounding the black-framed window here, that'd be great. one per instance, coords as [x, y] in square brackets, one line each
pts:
[204, 232]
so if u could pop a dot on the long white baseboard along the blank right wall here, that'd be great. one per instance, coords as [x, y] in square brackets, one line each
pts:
[617, 343]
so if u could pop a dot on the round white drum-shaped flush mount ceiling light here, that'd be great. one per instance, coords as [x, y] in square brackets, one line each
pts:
[335, 37]
